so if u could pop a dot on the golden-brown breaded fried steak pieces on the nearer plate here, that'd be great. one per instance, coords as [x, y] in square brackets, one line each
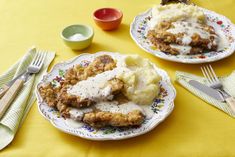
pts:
[84, 109]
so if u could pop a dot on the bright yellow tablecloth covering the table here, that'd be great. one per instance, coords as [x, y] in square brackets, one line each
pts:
[194, 128]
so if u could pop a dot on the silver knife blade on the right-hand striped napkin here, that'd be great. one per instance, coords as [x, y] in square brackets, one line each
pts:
[207, 90]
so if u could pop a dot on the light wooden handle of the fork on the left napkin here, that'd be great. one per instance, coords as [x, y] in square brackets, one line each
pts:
[10, 96]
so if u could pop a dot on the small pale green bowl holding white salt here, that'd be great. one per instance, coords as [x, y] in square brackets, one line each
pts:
[77, 37]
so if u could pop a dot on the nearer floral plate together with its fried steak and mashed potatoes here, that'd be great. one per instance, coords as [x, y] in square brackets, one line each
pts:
[106, 96]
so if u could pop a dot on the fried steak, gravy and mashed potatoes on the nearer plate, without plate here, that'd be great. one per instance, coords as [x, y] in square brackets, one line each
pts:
[99, 94]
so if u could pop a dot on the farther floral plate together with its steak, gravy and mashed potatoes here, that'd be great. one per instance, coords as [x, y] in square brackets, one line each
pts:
[184, 33]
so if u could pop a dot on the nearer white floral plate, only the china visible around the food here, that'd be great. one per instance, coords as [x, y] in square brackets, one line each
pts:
[162, 105]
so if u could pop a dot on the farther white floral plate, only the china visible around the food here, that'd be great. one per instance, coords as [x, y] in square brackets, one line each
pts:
[139, 29]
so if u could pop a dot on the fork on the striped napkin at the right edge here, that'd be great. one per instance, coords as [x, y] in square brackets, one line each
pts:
[216, 84]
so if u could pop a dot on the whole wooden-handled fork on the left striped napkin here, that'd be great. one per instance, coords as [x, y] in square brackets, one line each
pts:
[33, 68]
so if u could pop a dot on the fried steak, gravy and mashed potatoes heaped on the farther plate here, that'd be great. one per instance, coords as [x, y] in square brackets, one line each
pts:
[180, 29]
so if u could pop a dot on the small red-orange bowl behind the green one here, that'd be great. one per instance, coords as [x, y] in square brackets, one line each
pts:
[108, 18]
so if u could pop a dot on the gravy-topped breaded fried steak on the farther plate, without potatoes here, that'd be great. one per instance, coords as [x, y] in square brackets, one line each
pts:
[182, 37]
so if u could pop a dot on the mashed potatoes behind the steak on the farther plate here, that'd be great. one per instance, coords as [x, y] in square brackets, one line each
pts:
[175, 12]
